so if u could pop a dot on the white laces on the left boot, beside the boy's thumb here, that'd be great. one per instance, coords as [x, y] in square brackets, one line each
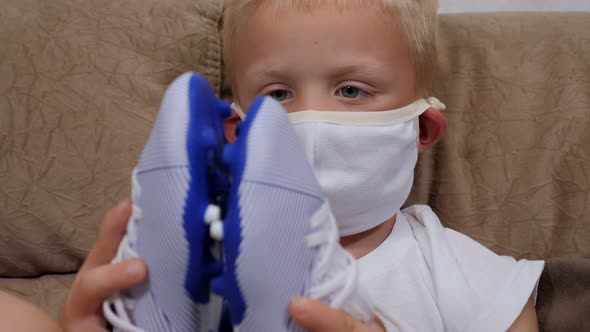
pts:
[119, 317]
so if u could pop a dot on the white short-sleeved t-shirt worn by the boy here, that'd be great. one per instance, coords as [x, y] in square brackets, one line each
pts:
[425, 277]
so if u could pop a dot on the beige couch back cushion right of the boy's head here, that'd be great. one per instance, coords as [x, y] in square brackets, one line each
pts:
[513, 170]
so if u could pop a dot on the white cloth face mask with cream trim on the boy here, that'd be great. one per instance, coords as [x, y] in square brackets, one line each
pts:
[364, 161]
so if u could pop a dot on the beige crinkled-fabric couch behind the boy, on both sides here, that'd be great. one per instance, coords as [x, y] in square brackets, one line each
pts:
[80, 83]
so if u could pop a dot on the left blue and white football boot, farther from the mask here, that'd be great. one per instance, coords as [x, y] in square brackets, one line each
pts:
[177, 189]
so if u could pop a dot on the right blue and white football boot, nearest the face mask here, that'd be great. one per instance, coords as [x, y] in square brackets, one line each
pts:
[280, 239]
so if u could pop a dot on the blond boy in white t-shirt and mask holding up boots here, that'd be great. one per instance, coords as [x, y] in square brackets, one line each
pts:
[351, 56]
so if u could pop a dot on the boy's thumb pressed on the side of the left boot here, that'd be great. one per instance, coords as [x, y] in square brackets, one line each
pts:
[97, 284]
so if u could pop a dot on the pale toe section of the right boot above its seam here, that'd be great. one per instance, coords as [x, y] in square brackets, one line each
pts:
[274, 153]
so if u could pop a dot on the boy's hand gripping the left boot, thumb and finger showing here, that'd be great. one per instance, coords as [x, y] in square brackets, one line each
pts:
[98, 279]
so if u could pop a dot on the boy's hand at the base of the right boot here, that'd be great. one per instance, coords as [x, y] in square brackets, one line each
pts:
[319, 317]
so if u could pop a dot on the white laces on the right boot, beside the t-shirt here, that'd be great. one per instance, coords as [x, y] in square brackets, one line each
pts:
[336, 275]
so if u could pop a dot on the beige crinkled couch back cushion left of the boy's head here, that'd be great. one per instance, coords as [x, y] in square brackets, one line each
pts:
[80, 83]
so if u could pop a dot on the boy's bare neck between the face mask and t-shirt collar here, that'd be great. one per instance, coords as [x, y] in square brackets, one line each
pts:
[359, 245]
